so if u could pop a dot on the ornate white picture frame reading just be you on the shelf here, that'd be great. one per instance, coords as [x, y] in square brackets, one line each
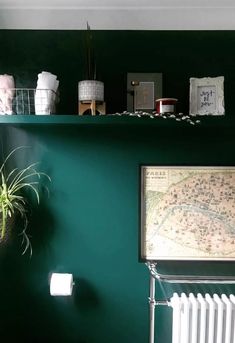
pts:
[207, 96]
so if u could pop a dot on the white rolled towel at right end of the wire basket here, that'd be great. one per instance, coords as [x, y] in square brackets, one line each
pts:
[45, 94]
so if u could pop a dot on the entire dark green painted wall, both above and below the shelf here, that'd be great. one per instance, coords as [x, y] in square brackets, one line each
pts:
[89, 225]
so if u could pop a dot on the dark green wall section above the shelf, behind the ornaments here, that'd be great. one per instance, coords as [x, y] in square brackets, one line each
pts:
[178, 55]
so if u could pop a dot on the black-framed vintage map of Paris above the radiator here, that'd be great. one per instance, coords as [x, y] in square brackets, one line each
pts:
[187, 213]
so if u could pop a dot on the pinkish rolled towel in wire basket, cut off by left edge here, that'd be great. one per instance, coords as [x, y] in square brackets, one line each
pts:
[7, 92]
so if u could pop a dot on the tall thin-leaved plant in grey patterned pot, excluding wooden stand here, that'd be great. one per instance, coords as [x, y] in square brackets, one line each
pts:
[90, 89]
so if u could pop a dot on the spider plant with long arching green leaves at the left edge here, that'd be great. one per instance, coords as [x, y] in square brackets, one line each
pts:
[14, 201]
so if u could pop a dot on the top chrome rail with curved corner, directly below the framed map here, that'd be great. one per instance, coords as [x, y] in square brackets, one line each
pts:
[213, 279]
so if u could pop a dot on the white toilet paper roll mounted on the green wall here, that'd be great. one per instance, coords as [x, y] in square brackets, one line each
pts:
[61, 284]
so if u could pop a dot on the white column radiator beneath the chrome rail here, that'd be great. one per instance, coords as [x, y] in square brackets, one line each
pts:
[203, 319]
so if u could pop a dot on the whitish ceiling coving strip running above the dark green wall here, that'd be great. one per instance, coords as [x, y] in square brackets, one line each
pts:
[153, 18]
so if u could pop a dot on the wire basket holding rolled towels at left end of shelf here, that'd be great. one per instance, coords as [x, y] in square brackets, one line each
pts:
[27, 101]
